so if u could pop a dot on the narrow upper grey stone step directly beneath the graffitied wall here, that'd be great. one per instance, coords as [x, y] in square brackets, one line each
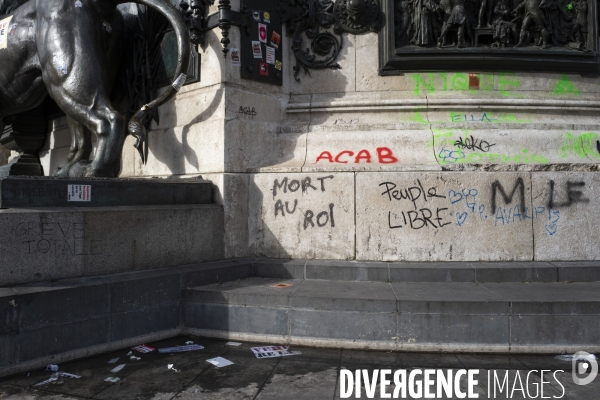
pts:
[379, 271]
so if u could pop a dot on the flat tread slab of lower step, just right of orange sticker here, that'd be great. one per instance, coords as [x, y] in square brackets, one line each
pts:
[344, 296]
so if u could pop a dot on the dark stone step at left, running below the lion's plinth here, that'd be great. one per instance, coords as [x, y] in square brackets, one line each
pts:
[53, 322]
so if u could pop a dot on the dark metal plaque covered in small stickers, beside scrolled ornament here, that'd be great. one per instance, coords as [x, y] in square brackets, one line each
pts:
[262, 43]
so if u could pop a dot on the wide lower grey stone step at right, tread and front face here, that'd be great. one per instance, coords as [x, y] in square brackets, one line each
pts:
[411, 316]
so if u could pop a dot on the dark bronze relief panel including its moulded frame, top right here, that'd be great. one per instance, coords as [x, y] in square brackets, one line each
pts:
[502, 35]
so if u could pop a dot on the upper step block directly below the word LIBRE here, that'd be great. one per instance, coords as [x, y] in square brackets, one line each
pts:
[430, 272]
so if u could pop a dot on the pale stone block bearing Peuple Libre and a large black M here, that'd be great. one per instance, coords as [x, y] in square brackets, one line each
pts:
[444, 216]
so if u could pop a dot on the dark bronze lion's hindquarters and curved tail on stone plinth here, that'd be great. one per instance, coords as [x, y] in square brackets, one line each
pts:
[71, 50]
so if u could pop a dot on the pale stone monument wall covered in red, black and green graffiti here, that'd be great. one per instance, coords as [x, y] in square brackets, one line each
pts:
[346, 163]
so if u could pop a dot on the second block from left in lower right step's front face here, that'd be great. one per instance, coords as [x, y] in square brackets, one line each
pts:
[354, 326]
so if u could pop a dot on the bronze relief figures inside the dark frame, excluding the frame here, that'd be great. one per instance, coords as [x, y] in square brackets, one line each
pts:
[495, 24]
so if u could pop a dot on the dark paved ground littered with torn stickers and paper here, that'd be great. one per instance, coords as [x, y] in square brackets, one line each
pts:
[312, 375]
